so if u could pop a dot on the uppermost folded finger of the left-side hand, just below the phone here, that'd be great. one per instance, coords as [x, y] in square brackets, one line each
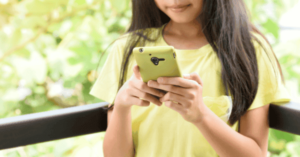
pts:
[142, 86]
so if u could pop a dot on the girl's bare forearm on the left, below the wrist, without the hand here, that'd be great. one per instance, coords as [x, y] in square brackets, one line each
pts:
[118, 140]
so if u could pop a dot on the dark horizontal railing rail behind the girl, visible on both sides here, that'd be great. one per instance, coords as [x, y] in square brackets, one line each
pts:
[74, 121]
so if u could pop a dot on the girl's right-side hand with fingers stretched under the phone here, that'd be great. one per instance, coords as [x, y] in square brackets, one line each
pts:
[186, 92]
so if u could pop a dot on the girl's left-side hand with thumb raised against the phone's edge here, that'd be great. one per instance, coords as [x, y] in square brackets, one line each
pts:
[134, 89]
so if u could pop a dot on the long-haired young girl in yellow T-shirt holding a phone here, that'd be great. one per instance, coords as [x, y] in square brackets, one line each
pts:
[223, 55]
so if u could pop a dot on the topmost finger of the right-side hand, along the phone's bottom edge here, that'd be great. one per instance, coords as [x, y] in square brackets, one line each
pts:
[178, 81]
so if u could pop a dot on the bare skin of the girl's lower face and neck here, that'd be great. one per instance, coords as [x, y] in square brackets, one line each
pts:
[184, 30]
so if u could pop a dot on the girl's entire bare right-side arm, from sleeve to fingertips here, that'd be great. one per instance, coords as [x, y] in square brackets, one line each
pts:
[187, 91]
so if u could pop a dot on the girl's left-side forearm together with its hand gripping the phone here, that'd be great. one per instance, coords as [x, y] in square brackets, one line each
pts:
[119, 132]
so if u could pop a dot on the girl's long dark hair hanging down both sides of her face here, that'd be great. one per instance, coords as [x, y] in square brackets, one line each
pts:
[227, 28]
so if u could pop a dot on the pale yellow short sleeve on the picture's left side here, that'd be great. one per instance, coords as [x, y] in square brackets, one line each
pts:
[106, 85]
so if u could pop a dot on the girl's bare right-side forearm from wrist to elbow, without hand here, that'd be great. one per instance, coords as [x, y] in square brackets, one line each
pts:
[224, 140]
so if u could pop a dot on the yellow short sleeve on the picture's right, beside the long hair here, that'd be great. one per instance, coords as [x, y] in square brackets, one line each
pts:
[271, 89]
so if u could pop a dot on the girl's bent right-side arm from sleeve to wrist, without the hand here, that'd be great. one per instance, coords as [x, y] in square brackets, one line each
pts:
[252, 140]
